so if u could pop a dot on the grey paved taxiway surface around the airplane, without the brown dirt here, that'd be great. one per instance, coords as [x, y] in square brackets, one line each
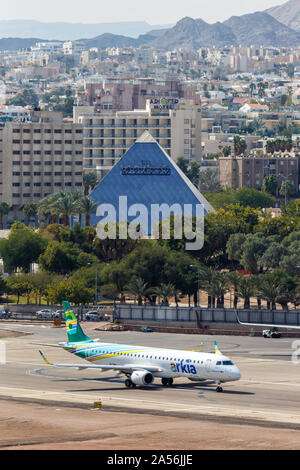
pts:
[268, 392]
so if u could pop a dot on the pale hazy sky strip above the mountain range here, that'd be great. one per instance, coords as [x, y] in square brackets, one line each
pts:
[152, 11]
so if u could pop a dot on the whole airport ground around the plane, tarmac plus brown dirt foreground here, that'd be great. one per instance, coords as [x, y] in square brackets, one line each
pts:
[265, 402]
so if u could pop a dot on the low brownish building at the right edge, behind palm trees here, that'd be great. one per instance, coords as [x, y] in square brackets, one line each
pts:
[237, 172]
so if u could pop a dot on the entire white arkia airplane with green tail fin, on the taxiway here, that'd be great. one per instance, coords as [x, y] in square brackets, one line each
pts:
[140, 364]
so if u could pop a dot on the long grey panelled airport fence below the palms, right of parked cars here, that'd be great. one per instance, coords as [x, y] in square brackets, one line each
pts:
[206, 315]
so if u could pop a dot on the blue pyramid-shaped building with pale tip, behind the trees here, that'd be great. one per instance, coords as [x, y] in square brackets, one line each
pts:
[145, 176]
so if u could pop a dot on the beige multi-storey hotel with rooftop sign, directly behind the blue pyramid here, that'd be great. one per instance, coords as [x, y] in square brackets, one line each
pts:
[174, 124]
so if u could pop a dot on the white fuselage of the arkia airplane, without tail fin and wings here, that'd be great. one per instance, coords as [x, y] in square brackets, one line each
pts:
[172, 363]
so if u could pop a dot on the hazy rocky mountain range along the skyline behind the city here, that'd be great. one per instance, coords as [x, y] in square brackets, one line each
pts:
[258, 28]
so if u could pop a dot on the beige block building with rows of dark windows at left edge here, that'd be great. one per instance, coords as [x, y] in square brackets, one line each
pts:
[39, 158]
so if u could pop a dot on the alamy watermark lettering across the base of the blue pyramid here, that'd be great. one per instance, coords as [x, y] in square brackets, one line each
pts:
[159, 221]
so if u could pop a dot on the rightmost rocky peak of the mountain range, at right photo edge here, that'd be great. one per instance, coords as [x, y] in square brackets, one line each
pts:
[262, 29]
